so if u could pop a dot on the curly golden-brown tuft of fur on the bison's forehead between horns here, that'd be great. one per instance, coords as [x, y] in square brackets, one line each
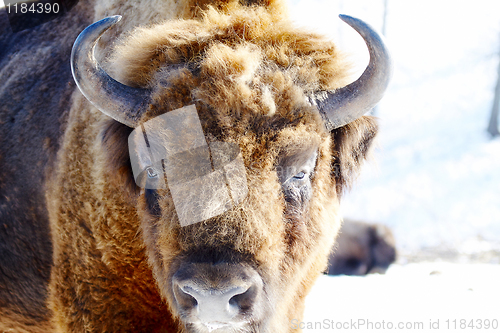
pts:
[250, 59]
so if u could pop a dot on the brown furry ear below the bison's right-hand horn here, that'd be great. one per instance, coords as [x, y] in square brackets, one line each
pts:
[350, 146]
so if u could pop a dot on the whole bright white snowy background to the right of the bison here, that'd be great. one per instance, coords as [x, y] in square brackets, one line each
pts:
[435, 176]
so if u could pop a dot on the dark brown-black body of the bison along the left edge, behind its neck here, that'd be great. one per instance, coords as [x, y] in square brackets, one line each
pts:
[35, 93]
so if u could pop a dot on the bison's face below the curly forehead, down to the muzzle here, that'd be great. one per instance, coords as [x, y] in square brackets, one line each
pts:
[246, 268]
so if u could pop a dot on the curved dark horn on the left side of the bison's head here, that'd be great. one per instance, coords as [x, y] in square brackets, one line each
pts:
[122, 103]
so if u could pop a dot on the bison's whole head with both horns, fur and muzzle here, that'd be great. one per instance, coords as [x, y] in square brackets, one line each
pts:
[279, 95]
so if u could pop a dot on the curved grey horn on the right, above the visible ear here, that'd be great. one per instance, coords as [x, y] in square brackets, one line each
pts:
[352, 101]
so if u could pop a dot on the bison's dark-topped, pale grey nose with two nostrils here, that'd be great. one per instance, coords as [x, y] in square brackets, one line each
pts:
[224, 294]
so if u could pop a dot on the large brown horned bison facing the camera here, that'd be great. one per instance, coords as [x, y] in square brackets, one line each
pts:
[93, 235]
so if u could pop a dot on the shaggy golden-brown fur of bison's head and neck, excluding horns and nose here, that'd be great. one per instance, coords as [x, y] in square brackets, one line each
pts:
[248, 70]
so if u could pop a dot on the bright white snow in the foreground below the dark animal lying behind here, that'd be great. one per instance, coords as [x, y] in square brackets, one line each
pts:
[424, 297]
